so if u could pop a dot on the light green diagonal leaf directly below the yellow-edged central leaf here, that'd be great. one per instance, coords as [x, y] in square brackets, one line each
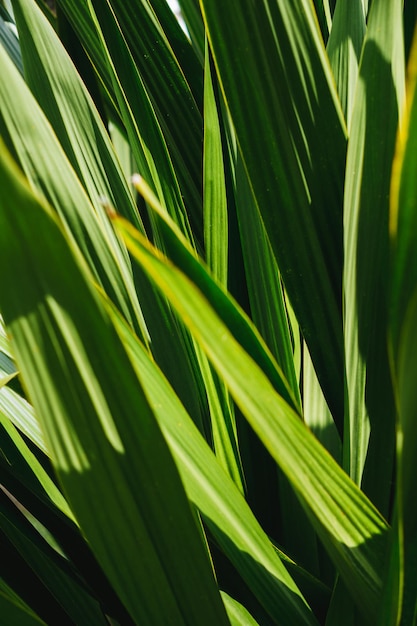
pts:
[222, 506]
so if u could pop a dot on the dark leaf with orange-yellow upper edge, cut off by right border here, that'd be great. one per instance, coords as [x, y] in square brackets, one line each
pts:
[403, 315]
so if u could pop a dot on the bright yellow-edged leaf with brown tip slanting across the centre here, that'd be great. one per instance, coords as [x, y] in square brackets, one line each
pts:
[351, 529]
